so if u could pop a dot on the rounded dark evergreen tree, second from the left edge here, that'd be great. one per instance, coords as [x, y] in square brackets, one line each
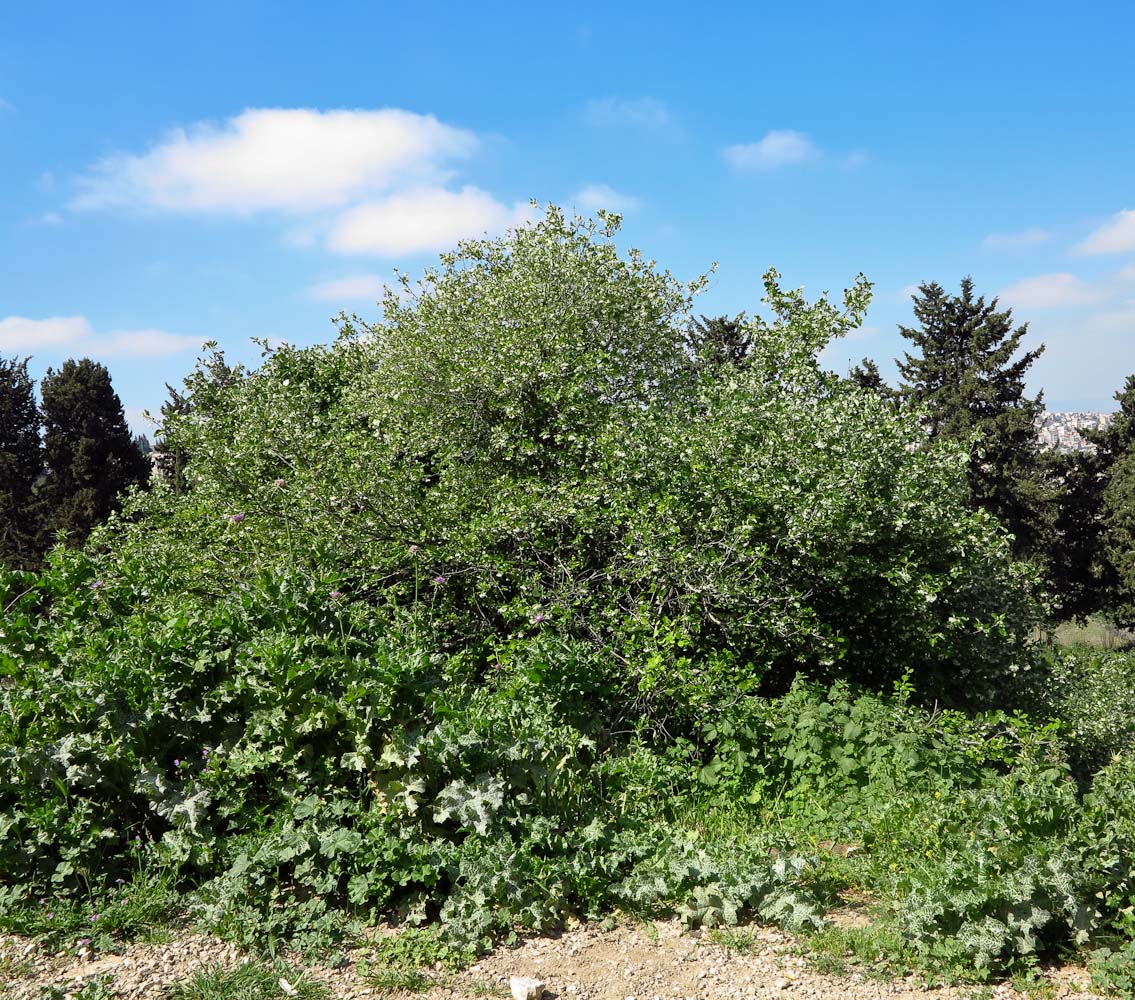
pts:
[90, 455]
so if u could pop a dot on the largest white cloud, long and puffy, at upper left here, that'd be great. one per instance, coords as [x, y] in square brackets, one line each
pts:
[280, 159]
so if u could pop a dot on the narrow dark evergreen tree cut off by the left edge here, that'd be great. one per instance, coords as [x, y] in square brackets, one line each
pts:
[21, 465]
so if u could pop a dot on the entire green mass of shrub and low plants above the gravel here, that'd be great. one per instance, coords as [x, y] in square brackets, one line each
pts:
[537, 599]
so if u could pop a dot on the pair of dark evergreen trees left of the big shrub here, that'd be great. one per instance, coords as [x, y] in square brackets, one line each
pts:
[64, 460]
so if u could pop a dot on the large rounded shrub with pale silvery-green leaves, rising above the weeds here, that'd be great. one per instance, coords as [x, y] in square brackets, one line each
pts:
[524, 441]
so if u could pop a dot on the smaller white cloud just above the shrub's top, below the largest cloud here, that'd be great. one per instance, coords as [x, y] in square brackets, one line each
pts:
[421, 221]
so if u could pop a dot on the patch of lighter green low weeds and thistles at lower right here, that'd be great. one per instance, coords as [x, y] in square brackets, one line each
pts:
[971, 827]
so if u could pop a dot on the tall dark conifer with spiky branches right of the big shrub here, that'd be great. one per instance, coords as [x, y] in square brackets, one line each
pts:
[971, 386]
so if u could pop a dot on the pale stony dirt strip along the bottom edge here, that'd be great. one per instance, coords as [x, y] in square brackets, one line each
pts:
[652, 962]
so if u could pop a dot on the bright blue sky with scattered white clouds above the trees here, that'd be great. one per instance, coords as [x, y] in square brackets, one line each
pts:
[179, 173]
